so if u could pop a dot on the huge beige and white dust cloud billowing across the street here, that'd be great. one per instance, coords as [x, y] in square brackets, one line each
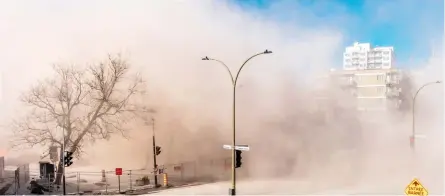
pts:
[276, 115]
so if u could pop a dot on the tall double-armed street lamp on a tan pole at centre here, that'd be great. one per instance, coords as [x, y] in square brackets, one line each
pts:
[232, 190]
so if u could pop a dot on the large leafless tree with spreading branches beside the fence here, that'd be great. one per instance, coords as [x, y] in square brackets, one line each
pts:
[89, 104]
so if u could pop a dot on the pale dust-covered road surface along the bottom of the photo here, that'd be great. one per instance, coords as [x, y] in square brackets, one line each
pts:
[286, 187]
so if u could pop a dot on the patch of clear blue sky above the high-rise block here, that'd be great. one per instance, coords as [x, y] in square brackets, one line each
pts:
[411, 26]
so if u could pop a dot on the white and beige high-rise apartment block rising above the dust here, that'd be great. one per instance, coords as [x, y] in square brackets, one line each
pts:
[370, 76]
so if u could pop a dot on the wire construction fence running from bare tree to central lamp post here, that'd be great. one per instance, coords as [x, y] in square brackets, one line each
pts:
[135, 179]
